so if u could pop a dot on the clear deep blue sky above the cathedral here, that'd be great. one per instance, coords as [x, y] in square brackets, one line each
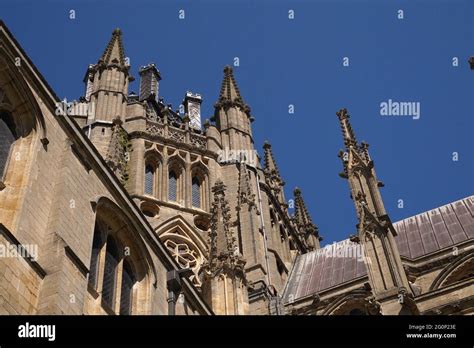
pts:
[297, 62]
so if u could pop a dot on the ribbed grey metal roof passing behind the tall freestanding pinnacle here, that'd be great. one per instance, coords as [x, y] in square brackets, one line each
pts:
[418, 235]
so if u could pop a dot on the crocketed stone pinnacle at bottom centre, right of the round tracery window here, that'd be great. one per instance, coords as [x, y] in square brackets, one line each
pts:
[224, 282]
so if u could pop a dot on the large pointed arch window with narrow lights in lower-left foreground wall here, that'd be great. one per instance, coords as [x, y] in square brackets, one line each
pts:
[124, 269]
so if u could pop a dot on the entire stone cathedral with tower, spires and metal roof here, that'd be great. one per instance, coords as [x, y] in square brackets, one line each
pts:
[119, 204]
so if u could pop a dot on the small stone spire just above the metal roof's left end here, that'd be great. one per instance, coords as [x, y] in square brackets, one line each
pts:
[304, 223]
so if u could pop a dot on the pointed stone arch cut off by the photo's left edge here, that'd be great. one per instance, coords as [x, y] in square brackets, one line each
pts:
[22, 126]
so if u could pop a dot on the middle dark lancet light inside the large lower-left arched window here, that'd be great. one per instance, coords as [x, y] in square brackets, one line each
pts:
[110, 273]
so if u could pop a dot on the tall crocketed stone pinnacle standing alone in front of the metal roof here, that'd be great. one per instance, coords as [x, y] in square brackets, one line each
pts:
[375, 231]
